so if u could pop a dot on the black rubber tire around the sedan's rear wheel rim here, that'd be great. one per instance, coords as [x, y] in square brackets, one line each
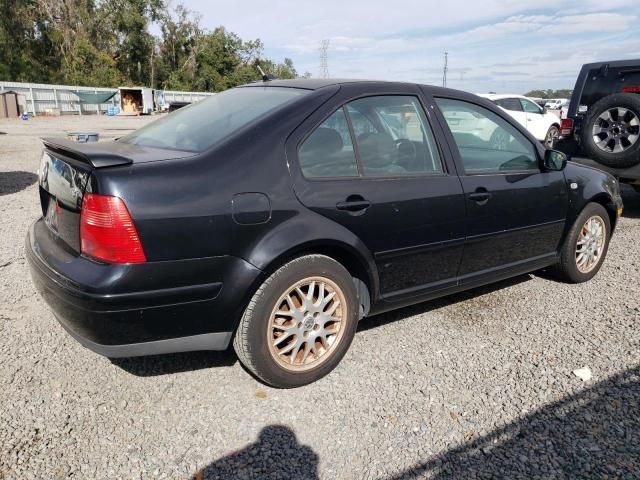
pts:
[251, 341]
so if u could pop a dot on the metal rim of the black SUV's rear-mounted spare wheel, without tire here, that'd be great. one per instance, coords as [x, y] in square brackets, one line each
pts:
[616, 130]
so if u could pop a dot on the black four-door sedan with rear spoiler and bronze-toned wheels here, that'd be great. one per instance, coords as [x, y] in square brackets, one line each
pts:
[278, 214]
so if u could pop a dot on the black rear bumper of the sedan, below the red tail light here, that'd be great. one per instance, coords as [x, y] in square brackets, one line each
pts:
[141, 309]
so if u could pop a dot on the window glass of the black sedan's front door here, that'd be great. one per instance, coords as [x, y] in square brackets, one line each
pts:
[487, 143]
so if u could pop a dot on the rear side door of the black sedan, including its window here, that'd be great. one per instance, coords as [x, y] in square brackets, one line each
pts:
[370, 162]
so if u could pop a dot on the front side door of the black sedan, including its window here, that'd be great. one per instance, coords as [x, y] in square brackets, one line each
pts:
[516, 212]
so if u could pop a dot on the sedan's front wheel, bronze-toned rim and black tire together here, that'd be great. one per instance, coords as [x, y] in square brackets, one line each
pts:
[586, 245]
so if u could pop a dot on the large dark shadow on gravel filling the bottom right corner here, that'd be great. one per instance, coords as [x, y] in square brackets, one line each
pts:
[592, 434]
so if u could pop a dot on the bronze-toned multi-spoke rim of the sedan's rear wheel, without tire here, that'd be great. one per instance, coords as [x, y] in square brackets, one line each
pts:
[307, 324]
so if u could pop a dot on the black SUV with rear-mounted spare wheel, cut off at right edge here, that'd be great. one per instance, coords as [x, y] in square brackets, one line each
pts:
[603, 120]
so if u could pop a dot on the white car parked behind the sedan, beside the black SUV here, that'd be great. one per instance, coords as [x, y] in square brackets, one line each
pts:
[543, 125]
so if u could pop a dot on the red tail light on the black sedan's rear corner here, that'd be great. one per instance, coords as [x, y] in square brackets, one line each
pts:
[107, 231]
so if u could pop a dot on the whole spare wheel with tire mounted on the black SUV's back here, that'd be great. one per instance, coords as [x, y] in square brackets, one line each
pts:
[611, 133]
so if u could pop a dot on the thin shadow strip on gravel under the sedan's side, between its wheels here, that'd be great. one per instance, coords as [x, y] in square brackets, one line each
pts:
[431, 305]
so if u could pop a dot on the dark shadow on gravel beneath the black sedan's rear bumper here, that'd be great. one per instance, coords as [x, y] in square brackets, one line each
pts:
[156, 365]
